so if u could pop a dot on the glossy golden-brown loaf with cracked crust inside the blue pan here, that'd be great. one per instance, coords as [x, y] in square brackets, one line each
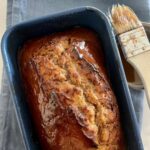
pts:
[71, 101]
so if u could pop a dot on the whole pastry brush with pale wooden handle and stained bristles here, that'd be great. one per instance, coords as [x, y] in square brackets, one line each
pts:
[134, 42]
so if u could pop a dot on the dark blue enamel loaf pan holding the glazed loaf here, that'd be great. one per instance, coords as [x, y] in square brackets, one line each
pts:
[88, 17]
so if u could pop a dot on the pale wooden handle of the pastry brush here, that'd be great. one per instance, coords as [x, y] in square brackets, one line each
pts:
[141, 63]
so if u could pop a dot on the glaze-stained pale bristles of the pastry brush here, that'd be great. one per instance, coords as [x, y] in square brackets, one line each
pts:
[123, 18]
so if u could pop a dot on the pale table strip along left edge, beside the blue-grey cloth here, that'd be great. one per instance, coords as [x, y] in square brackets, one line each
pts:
[3, 4]
